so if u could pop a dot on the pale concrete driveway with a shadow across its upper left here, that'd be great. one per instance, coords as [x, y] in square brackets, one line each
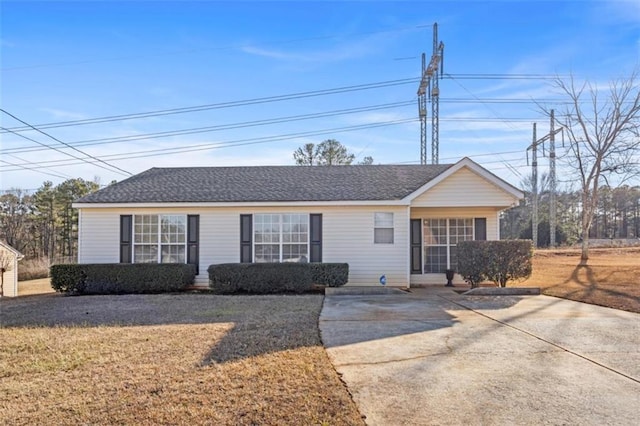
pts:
[433, 357]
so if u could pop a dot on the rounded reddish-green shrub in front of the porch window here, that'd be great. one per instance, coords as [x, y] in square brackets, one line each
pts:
[497, 261]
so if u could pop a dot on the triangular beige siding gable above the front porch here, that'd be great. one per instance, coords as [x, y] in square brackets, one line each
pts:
[464, 188]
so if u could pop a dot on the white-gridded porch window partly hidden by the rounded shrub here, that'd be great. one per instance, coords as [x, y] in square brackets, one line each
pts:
[441, 237]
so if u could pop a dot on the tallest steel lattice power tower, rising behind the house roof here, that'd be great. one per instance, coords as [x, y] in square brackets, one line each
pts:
[429, 87]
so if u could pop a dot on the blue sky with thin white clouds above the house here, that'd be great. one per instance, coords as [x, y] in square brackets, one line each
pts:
[63, 61]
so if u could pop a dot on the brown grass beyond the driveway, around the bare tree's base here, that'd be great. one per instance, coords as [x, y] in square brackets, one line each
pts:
[610, 278]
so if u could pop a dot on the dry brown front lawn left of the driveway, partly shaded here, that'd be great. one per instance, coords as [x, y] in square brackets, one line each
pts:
[167, 359]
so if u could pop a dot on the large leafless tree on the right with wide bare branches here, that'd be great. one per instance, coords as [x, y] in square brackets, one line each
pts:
[603, 134]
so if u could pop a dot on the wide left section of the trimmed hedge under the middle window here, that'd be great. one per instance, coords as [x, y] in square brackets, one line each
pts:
[260, 278]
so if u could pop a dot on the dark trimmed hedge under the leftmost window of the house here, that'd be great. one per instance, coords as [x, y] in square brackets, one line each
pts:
[121, 278]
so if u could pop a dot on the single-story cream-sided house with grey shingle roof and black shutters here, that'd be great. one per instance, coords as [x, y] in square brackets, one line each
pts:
[400, 221]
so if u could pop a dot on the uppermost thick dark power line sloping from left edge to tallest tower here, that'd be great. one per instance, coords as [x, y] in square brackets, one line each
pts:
[220, 105]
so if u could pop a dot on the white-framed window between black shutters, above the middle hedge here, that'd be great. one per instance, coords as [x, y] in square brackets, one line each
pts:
[281, 237]
